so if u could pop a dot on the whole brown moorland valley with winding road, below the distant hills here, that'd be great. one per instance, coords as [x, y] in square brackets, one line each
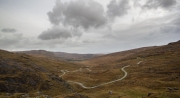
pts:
[148, 72]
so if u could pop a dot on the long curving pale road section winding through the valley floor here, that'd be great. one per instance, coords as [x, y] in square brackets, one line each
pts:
[82, 85]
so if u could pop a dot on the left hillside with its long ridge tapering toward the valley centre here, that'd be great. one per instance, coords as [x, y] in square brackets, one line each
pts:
[21, 74]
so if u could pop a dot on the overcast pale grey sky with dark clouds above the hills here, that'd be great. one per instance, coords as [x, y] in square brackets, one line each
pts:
[87, 26]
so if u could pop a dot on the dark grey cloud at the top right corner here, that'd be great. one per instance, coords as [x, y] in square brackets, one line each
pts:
[154, 4]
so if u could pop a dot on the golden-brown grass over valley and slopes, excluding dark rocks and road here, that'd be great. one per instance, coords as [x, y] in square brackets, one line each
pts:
[159, 71]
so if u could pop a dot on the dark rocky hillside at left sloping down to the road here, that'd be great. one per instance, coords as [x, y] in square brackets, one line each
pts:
[19, 74]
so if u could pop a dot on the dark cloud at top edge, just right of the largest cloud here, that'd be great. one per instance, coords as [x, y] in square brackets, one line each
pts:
[117, 8]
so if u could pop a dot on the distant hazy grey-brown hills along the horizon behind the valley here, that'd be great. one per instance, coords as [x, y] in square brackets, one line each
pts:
[61, 55]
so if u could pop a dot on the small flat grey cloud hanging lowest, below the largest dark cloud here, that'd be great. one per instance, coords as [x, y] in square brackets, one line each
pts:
[59, 33]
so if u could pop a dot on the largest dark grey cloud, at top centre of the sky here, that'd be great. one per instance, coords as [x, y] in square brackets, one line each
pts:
[79, 13]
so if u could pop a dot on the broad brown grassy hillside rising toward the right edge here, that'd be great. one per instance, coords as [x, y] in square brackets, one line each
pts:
[152, 73]
